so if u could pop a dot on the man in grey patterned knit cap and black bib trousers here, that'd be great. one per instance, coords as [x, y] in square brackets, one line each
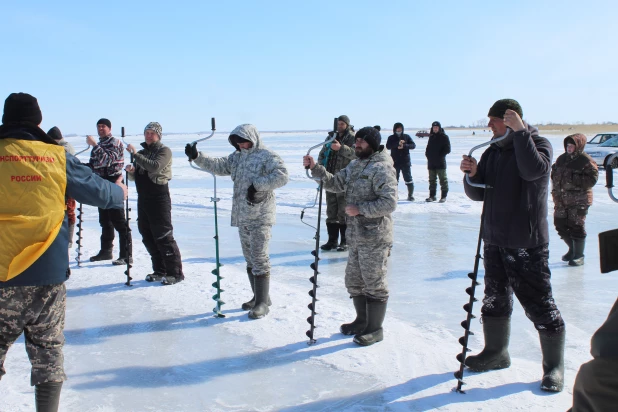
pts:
[152, 171]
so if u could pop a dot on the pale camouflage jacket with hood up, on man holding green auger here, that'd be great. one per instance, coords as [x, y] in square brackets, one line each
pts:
[257, 166]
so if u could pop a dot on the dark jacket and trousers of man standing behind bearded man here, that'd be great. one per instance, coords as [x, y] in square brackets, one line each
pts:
[334, 161]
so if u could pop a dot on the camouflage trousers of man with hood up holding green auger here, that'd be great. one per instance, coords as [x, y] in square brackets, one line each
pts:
[254, 241]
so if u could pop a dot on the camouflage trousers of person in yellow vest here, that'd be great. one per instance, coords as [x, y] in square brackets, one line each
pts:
[38, 312]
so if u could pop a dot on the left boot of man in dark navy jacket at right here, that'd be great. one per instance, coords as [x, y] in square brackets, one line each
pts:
[495, 355]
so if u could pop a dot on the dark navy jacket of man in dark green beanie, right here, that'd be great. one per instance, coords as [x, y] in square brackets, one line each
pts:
[516, 206]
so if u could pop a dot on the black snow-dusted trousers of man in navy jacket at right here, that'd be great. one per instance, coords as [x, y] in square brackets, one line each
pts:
[526, 273]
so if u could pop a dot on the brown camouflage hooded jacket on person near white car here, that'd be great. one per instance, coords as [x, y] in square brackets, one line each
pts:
[573, 176]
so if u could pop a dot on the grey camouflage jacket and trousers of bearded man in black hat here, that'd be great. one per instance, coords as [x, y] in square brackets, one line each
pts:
[370, 184]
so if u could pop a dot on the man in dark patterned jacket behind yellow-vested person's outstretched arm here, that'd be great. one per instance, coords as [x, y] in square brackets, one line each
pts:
[107, 161]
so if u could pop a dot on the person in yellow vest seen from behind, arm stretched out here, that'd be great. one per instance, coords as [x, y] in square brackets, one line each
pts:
[36, 178]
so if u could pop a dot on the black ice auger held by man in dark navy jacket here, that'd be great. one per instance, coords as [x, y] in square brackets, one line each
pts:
[468, 307]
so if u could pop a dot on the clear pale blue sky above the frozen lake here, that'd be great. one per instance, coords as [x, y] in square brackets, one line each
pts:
[286, 65]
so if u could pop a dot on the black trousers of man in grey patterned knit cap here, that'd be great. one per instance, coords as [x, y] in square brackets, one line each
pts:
[154, 222]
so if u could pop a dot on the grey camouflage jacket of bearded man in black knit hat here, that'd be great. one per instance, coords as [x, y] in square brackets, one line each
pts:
[370, 184]
